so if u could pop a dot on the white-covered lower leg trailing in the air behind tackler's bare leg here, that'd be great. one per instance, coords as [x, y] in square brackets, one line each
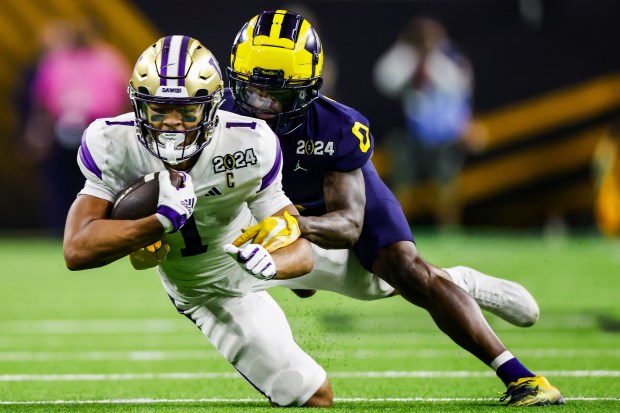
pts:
[506, 299]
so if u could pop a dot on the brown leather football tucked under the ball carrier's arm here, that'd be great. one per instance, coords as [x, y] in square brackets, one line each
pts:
[140, 198]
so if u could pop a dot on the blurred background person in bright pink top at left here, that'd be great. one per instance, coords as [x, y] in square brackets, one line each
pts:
[77, 78]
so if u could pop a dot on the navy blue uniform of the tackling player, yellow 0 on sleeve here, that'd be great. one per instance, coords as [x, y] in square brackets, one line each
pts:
[335, 137]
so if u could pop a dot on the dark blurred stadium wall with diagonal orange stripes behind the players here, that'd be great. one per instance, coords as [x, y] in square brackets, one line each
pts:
[544, 93]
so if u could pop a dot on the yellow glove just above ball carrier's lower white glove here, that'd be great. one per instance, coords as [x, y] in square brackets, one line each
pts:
[272, 233]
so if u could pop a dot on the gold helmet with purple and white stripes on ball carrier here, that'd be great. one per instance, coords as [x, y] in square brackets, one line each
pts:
[181, 72]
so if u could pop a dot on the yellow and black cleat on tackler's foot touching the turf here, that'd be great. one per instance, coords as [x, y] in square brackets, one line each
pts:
[532, 391]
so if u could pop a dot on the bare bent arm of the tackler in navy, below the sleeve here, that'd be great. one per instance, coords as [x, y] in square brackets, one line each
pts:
[345, 198]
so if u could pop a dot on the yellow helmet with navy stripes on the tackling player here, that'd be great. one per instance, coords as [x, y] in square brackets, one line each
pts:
[278, 53]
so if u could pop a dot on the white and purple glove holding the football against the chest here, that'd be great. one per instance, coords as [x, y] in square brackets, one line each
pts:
[175, 205]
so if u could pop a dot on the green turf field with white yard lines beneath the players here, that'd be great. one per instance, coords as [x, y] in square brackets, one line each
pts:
[108, 340]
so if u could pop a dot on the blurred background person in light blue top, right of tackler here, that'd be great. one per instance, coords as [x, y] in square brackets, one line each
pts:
[426, 71]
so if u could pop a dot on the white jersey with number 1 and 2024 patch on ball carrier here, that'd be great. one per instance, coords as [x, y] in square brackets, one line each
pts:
[237, 179]
